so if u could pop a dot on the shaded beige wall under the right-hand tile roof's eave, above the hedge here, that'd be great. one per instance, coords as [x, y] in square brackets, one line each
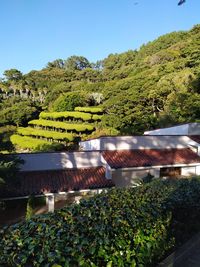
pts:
[127, 178]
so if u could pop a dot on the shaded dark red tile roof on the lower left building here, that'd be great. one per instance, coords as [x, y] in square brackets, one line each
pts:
[40, 182]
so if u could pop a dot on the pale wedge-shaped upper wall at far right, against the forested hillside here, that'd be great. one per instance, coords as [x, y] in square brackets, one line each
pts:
[185, 129]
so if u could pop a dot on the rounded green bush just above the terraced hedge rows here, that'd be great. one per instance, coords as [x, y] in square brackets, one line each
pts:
[69, 101]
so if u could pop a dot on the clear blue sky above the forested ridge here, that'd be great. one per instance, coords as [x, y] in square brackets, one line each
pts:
[34, 32]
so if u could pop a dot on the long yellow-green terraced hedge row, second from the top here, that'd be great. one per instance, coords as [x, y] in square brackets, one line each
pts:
[70, 115]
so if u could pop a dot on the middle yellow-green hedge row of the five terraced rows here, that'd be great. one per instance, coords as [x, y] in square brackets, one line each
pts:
[63, 125]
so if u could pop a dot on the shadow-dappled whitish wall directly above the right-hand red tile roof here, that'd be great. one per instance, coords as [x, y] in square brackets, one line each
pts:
[139, 142]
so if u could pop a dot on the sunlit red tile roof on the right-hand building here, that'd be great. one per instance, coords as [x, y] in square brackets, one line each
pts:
[149, 157]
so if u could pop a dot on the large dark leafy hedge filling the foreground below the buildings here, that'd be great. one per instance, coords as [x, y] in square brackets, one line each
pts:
[124, 227]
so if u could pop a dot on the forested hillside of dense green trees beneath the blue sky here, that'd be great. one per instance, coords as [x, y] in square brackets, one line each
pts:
[158, 85]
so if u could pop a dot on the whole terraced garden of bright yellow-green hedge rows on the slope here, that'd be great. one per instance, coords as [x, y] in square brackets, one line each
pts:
[56, 130]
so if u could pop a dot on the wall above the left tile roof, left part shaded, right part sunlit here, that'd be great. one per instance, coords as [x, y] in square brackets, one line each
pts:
[59, 161]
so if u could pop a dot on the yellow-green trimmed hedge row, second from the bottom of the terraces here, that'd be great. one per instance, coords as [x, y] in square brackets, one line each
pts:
[28, 131]
